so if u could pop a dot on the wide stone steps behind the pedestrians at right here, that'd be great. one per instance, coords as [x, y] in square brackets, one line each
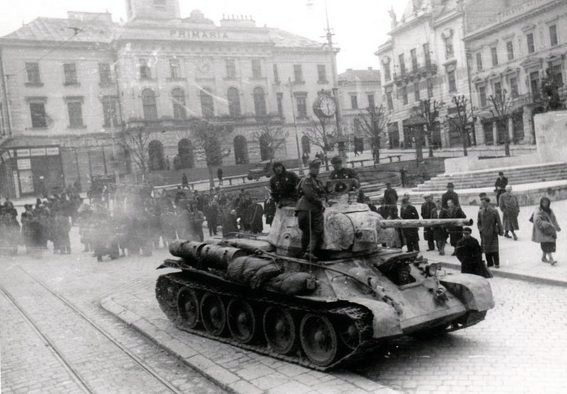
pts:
[532, 174]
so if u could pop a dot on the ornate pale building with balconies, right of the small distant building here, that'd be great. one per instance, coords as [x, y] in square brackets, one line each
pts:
[424, 58]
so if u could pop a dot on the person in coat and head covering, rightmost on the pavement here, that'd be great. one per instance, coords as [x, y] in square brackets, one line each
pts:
[545, 230]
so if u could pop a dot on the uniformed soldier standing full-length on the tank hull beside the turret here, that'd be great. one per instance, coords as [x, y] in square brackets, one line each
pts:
[310, 209]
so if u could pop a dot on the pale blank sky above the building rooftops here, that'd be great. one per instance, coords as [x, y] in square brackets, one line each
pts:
[360, 25]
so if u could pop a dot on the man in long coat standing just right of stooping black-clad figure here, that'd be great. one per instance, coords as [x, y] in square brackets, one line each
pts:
[490, 227]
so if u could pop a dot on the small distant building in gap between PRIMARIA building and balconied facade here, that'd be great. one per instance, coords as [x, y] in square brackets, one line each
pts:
[359, 90]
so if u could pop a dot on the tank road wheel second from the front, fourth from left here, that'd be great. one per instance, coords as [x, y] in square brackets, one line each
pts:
[279, 330]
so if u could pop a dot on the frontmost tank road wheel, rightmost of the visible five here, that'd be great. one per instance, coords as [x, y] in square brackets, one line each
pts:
[318, 339]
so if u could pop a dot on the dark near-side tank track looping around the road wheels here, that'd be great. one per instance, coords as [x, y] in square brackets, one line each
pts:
[169, 285]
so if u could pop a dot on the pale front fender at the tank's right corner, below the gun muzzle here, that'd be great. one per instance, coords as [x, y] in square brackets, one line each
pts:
[472, 290]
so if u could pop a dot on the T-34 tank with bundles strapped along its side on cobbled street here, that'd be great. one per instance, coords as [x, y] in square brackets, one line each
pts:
[253, 292]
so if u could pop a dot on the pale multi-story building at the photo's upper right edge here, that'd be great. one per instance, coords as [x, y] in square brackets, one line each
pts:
[511, 49]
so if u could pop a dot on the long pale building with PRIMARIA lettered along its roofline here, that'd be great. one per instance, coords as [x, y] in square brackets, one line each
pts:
[70, 88]
